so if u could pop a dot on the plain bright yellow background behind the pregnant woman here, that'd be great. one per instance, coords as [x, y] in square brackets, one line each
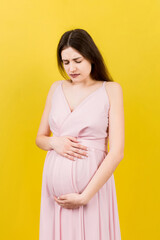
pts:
[127, 34]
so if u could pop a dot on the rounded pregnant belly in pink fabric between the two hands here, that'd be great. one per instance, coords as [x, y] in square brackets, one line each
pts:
[67, 176]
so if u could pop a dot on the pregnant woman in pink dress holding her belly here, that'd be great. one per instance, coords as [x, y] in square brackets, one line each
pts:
[84, 112]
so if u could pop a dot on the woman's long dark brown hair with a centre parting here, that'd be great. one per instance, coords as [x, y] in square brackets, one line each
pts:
[80, 40]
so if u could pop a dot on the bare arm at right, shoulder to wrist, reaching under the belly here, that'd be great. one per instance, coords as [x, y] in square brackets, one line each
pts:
[116, 143]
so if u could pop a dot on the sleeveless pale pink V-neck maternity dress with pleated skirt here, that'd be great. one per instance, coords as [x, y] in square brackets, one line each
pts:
[98, 220]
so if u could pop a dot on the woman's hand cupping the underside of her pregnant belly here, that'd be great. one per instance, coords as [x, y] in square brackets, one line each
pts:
[71, 200]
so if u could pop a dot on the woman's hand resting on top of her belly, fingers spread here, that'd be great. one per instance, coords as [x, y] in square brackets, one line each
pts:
[69, 147]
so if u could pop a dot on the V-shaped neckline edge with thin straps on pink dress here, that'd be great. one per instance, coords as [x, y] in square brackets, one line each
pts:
[82, 102]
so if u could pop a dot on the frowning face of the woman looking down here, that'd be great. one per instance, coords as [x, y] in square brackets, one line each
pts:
[76, 66]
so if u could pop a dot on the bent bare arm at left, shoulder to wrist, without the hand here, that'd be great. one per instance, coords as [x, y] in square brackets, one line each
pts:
[43, 138]
